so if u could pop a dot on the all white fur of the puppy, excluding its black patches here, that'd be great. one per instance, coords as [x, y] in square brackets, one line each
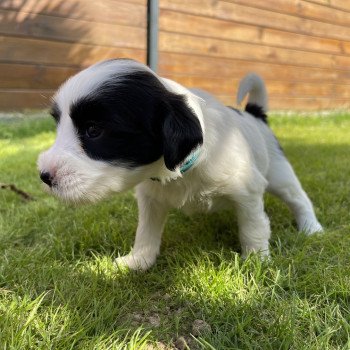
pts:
[238, 161]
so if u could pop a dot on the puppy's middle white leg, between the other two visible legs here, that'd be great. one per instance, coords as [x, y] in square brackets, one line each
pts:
[254, 225]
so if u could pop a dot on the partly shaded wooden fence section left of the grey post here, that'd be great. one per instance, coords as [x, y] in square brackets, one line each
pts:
[42, 42]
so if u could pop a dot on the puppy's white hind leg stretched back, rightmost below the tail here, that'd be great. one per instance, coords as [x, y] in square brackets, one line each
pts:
[284, 184]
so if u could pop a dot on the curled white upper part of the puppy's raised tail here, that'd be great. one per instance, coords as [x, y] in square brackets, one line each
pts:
[253, 84]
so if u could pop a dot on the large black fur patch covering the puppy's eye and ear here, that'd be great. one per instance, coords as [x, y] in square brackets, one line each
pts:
[139, 119]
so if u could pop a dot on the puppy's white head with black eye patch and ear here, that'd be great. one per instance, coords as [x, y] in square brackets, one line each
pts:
[117, 125]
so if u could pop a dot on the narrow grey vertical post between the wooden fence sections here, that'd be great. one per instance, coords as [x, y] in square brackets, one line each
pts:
[152, 34]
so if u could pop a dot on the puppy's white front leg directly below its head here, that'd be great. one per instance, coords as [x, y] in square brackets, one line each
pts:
[152, 215]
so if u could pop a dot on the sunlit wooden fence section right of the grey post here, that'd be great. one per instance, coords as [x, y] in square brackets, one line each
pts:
[301, 48]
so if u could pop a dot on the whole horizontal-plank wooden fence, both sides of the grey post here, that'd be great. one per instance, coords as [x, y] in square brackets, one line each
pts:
[300, 47]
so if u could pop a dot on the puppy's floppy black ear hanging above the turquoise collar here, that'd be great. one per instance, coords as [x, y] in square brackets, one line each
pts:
[182, 133]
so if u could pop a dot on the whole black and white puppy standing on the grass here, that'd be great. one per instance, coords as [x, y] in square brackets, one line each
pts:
[119, 125]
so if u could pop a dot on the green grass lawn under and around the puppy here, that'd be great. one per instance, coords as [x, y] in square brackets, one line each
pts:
[60, 290]
